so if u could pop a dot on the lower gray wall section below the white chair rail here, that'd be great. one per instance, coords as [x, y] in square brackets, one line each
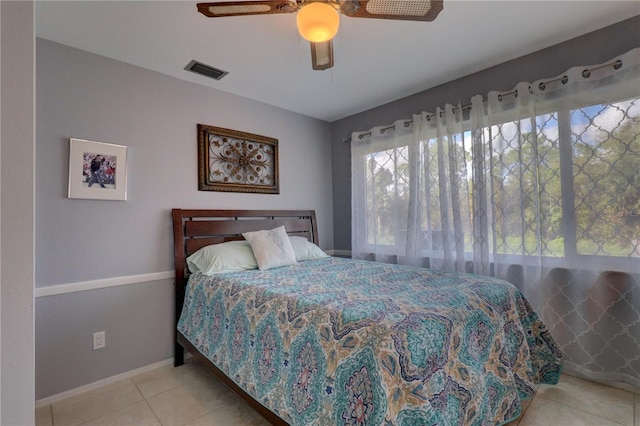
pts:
[138, 320]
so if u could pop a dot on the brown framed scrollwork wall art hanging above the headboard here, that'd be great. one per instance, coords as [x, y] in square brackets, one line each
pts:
[230, 160]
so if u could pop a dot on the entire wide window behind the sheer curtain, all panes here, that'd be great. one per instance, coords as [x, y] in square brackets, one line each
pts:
[564, 185]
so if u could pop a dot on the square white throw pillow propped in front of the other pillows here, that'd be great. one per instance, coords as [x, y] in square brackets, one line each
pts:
[272, 249]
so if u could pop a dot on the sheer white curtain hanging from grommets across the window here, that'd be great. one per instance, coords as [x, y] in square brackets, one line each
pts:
[539, 185]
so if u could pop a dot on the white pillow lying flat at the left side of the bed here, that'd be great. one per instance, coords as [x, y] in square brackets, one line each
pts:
[226, 257]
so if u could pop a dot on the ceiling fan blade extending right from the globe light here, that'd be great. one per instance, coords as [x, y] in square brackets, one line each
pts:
[409, 10]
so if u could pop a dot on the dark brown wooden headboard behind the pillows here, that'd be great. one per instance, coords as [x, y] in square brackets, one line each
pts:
[194, 229]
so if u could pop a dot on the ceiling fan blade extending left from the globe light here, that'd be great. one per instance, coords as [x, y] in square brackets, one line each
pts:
[239, 8]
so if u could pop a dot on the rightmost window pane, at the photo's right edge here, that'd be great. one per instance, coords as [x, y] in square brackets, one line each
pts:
[605, 143]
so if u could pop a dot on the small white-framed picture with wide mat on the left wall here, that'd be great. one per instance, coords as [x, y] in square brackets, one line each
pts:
[97, 170]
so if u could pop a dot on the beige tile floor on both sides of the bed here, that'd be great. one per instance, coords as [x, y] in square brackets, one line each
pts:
[190, 396]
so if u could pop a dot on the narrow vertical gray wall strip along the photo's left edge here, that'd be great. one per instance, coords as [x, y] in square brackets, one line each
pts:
[16, 212]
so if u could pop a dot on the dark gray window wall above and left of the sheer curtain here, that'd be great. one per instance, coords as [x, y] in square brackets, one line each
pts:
[593, 48]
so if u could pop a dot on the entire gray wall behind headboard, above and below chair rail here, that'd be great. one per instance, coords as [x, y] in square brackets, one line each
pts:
[86, 96]
